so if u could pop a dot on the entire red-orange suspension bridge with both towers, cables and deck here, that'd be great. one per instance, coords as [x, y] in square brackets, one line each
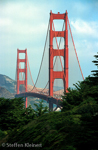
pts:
[61, 58]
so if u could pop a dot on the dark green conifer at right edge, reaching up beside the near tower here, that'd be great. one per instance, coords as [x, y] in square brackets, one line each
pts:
[84, 92]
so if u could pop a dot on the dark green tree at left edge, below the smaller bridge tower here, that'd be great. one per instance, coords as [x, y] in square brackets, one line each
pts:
[13, 114]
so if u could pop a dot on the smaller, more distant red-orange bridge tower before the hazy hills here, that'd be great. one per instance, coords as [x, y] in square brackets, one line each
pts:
[19, 70]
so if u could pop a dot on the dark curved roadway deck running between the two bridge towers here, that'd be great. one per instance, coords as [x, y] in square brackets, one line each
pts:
[41, 96]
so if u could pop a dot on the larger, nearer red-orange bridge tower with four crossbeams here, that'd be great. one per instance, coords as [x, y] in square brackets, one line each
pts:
[54, 52]
